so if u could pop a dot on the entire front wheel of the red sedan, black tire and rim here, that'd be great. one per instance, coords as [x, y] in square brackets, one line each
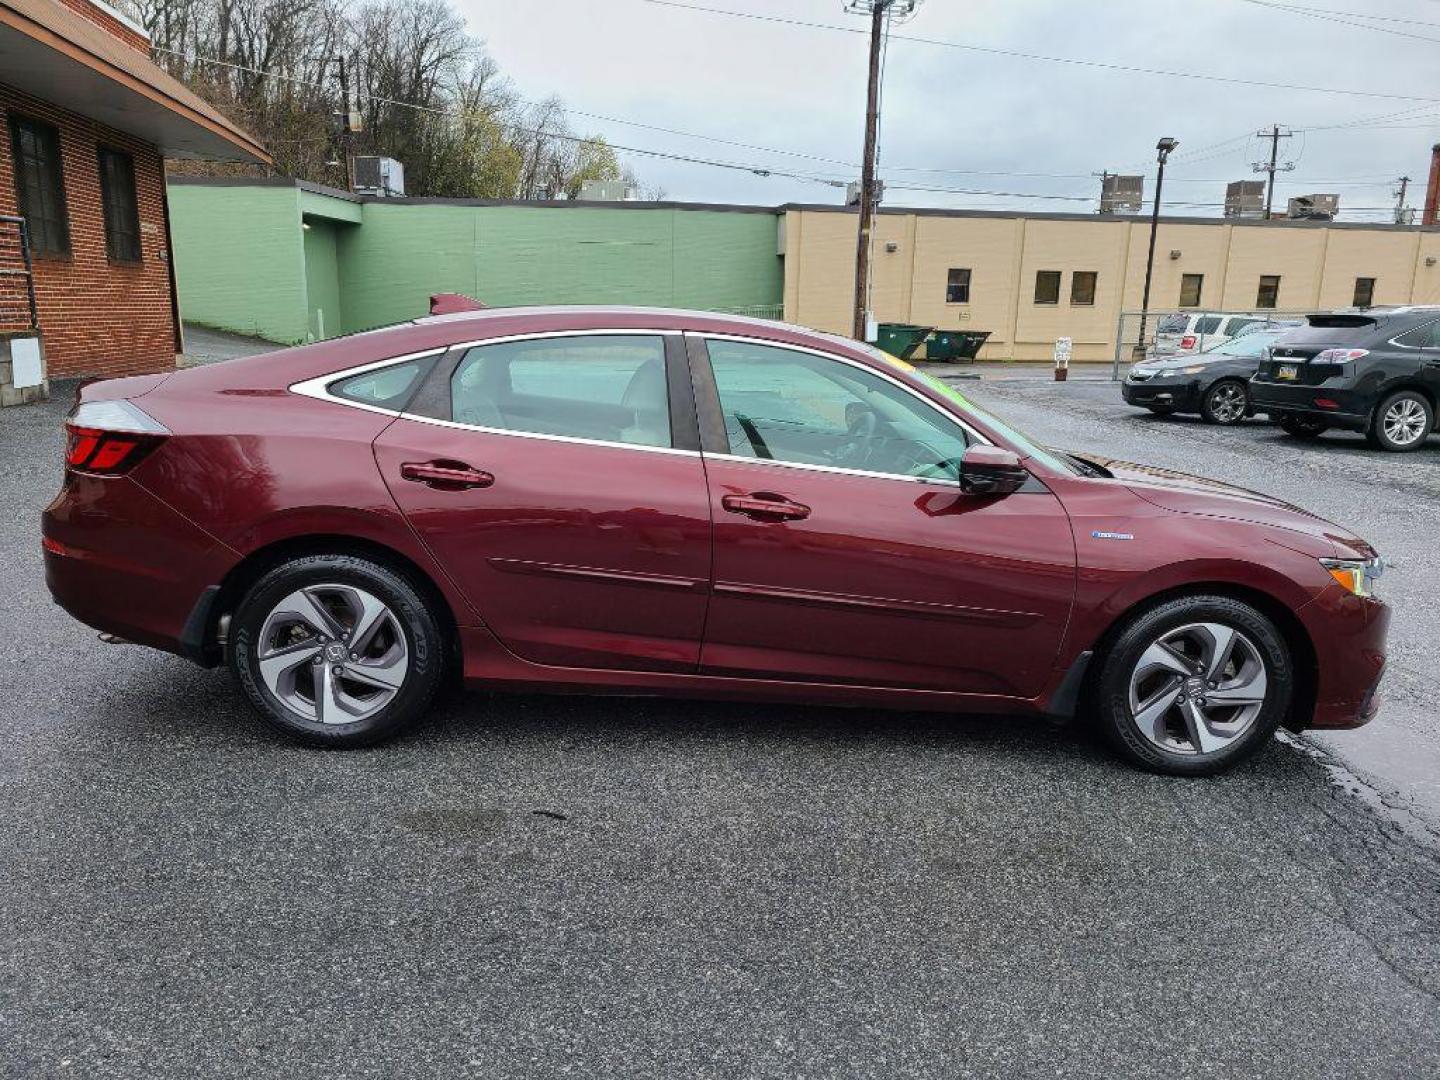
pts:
[1161, 653]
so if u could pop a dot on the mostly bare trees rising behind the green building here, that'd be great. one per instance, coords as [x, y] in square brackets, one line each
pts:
[423, 90]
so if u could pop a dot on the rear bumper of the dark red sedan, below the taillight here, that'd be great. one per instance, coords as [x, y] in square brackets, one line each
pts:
[123, 562]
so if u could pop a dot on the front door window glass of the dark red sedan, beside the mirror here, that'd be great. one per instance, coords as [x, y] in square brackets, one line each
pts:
[807, 410]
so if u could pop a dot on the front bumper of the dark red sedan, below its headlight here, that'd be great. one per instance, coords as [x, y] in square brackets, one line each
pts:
[1350, 646]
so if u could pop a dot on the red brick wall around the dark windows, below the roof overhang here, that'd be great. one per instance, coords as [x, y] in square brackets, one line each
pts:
[100, 319]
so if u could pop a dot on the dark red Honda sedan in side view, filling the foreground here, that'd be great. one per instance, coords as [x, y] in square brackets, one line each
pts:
[663, 502]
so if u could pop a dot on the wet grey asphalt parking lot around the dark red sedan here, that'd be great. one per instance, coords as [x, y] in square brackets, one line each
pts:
[538, 888]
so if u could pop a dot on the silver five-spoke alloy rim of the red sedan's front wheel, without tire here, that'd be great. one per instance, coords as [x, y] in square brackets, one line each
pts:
[1197, 689]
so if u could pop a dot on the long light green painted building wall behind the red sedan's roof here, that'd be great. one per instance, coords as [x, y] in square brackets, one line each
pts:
[243, 266]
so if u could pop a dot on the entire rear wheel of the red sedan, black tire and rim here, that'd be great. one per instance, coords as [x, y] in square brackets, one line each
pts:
[355, 652]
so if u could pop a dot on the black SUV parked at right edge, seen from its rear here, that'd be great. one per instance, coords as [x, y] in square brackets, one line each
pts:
[1374, 371]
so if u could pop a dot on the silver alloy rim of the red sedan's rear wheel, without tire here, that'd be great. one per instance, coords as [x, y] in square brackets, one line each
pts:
[333, 654]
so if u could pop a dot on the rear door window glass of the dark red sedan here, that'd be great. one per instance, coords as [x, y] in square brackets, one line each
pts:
[607, 388]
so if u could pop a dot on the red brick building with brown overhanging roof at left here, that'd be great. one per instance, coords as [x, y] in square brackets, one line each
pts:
[86, 125]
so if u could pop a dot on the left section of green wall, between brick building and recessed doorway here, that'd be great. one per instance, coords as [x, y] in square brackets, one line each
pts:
[240, 258]
